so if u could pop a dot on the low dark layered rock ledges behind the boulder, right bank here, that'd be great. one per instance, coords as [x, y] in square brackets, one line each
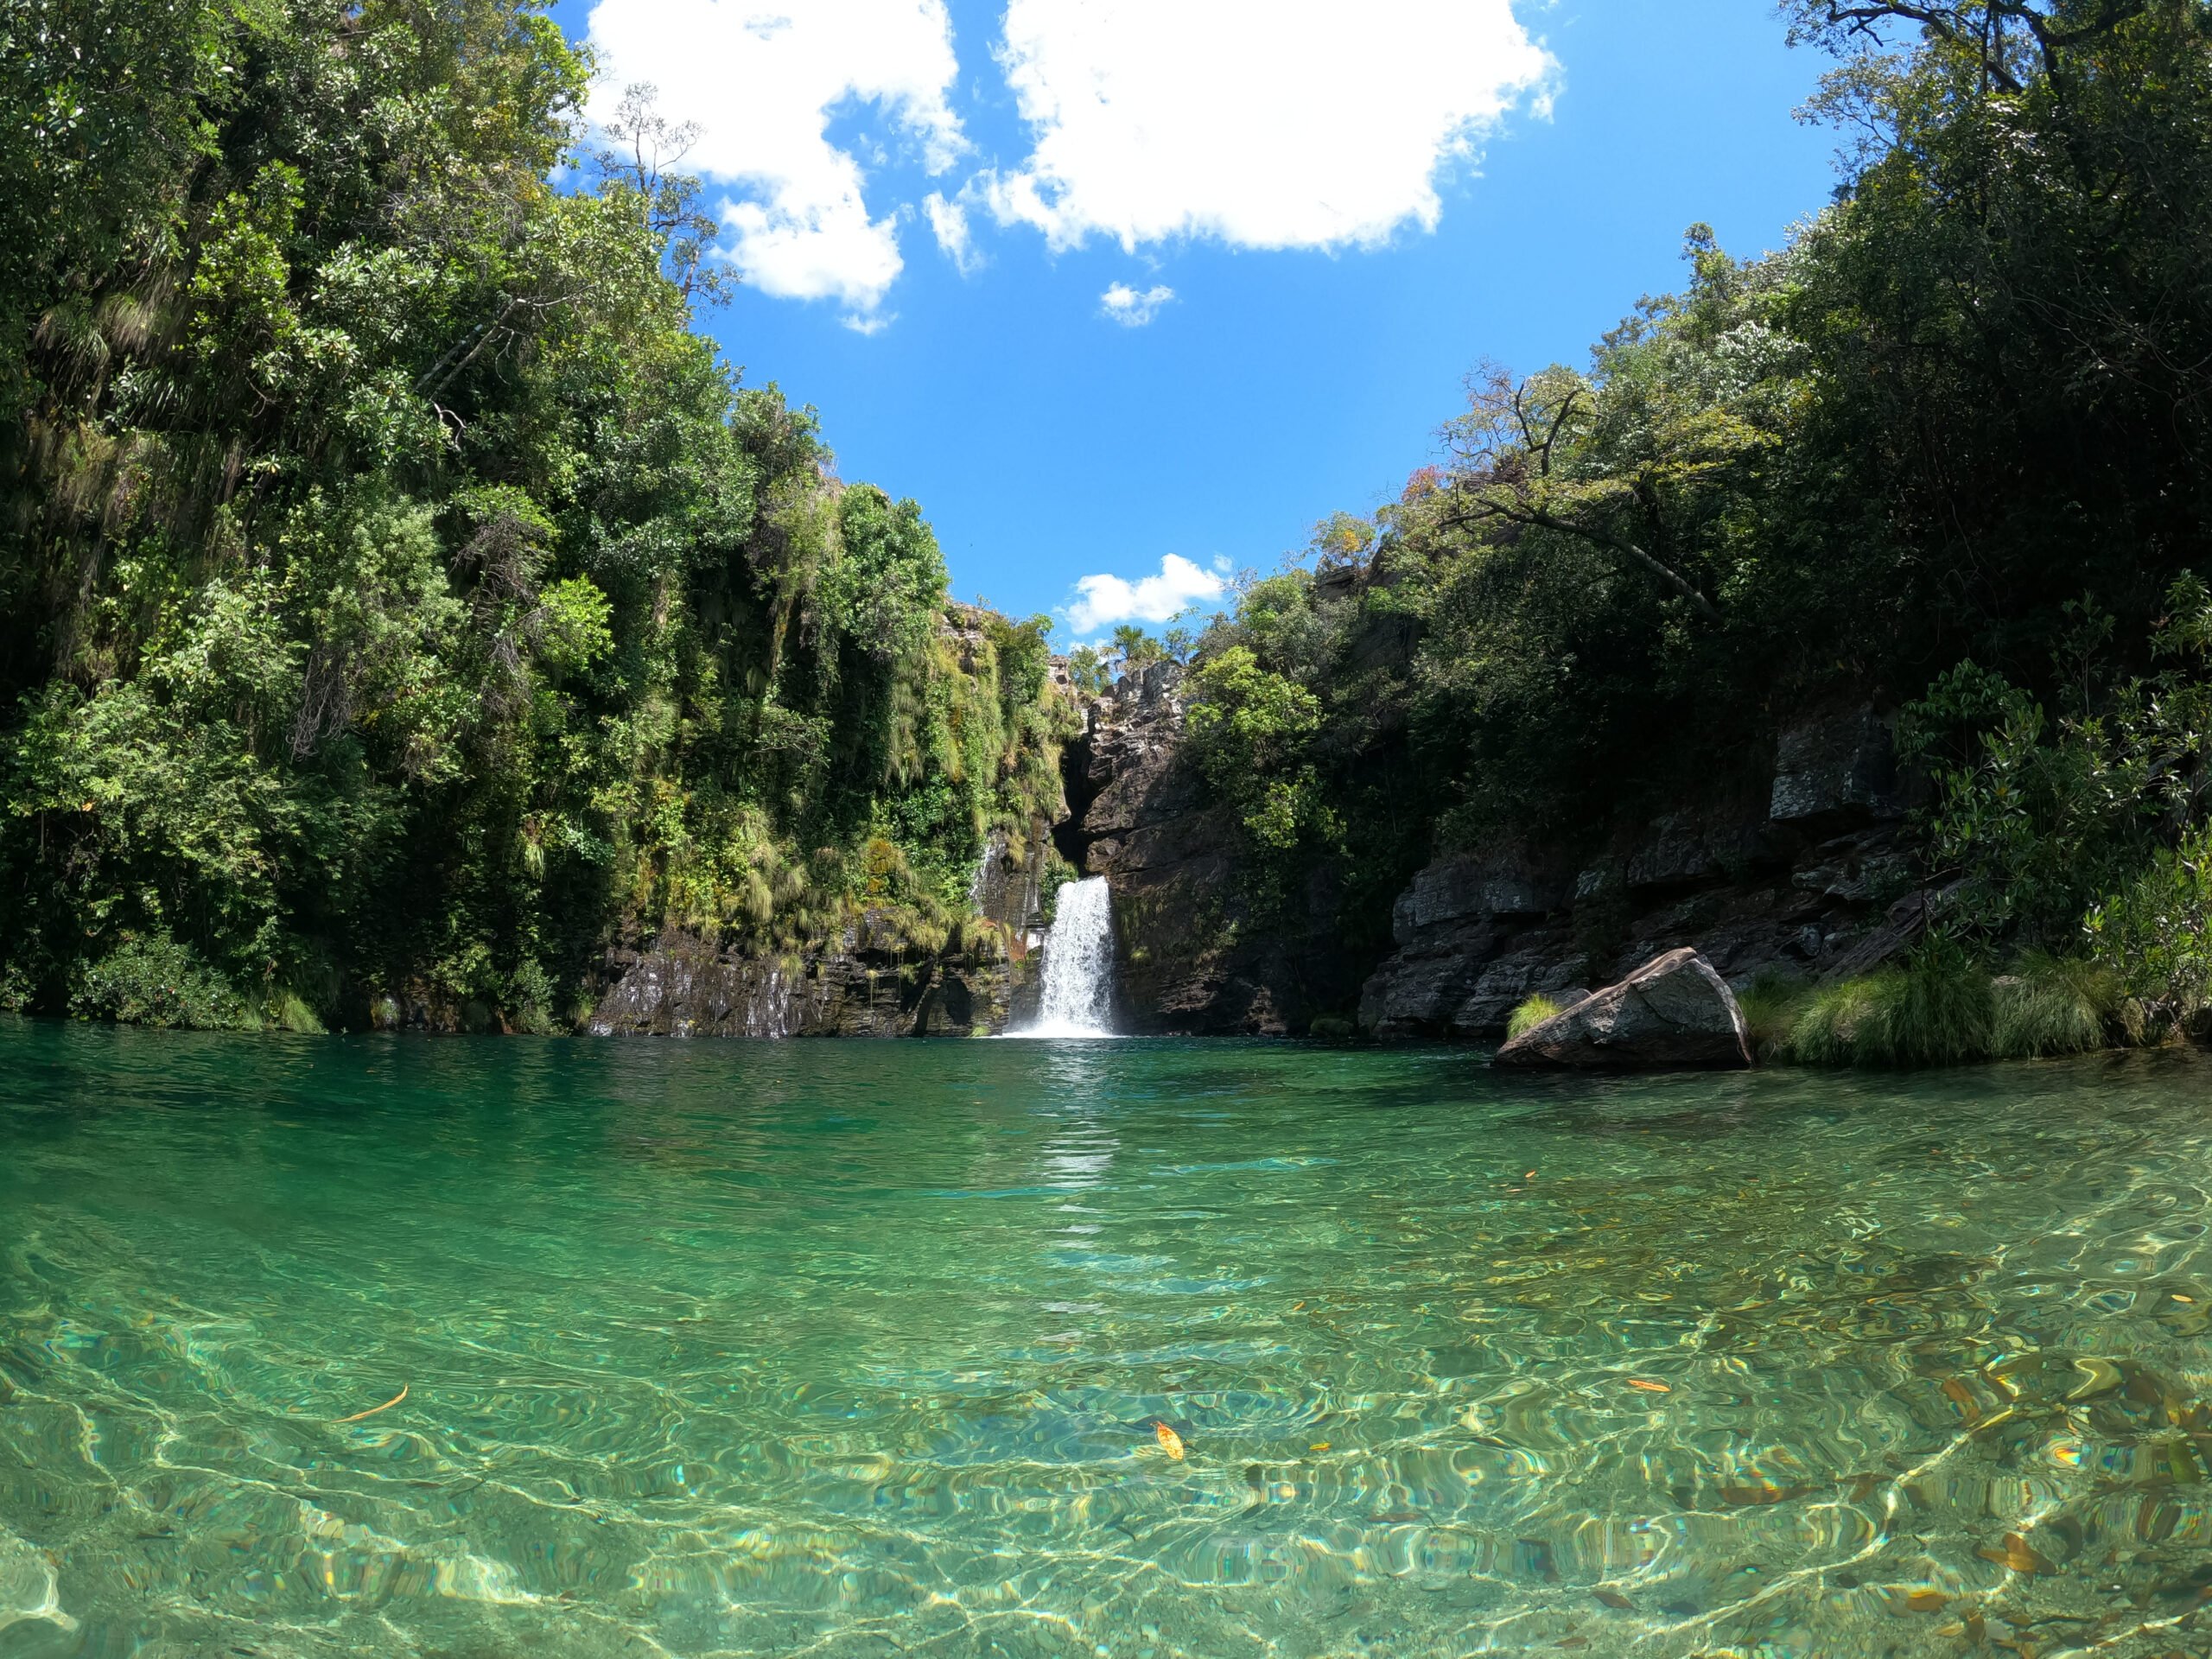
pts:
[1808, 877]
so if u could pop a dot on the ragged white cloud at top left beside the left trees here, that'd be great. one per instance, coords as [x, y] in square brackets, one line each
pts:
[762, 79]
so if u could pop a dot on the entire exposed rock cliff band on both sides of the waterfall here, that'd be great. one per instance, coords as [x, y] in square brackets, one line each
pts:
[1804, 875]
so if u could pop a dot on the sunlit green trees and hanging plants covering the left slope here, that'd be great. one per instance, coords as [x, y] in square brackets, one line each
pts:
[397, 596]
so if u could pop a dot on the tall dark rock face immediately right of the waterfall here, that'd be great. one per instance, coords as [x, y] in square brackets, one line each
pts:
[1189, 954]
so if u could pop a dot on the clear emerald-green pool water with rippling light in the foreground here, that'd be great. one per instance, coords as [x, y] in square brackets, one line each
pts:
[859, 1350]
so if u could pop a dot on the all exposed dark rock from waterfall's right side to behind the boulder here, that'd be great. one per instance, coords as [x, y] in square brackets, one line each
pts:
[1806, 873]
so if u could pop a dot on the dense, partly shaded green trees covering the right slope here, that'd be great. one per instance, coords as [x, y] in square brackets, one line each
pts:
[1950, 448]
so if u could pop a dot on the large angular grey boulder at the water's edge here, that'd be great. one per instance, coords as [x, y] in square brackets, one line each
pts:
[1671, 1014]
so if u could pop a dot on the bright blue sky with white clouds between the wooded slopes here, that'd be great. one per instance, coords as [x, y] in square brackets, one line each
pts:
[1050, 441]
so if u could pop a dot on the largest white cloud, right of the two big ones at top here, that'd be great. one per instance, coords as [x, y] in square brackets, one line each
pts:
[1260, 123]
